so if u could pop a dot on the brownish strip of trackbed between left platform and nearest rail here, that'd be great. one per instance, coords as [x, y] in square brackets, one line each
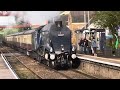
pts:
[18, 67]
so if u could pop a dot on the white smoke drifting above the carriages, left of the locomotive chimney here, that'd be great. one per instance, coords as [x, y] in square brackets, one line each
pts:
[35, 17]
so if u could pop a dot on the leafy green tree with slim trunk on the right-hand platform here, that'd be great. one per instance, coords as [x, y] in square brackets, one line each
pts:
[110, 20]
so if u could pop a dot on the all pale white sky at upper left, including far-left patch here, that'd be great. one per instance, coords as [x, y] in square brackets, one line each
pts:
[34, 17]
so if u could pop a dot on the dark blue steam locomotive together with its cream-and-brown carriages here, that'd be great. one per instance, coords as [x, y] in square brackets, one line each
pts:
[49, 44]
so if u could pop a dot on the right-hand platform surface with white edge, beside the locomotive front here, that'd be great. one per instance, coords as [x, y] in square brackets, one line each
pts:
[108, 61]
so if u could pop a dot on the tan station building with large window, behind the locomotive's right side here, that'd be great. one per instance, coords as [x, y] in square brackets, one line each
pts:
[76, 20]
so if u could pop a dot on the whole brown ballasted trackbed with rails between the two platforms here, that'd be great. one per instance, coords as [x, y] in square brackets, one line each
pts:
[27, 68]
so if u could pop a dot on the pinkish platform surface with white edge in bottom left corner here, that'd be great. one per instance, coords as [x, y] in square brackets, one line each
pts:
[5, 71]
